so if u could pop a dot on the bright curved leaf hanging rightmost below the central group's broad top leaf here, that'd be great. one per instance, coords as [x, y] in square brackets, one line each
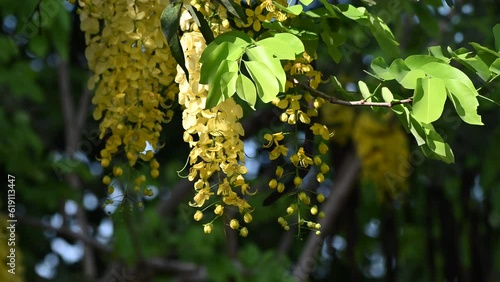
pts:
[266, 84]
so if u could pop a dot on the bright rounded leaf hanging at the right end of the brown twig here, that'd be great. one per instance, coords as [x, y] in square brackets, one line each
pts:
[429, 99]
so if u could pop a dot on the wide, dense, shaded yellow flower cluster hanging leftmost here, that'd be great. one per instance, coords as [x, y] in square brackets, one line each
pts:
[133, 75]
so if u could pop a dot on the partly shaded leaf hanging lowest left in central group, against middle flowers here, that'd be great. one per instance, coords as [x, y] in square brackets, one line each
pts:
[215, 93]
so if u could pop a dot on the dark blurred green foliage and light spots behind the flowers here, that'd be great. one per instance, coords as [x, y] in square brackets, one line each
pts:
[443, 226]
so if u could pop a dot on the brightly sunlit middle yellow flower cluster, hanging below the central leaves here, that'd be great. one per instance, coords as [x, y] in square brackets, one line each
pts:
[217, 152]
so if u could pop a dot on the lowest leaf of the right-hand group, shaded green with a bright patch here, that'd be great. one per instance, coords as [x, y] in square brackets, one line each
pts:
[438, 149]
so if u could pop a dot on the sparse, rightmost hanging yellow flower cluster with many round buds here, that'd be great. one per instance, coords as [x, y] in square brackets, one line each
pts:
[300, 108]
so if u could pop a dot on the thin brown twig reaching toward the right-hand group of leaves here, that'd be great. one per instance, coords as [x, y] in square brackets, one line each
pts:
[335, 100]
